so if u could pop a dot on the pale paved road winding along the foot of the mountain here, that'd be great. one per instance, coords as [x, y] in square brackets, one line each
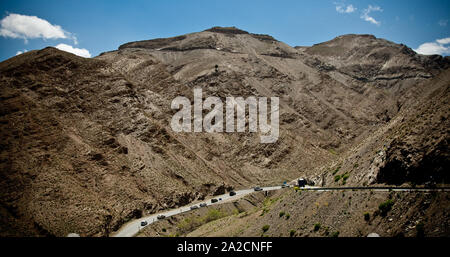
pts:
[133, 227]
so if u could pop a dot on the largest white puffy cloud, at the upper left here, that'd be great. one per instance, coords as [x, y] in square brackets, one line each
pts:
[28, 27]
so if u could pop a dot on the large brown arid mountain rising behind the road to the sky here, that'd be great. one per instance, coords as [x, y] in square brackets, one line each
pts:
[87, 143]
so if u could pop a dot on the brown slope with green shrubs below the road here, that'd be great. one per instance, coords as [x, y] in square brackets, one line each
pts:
[316, 214]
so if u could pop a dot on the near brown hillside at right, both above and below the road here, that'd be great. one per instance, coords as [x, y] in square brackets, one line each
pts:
[412, 148]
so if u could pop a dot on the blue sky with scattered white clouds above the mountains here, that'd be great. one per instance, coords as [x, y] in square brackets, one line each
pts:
[102, 25]
